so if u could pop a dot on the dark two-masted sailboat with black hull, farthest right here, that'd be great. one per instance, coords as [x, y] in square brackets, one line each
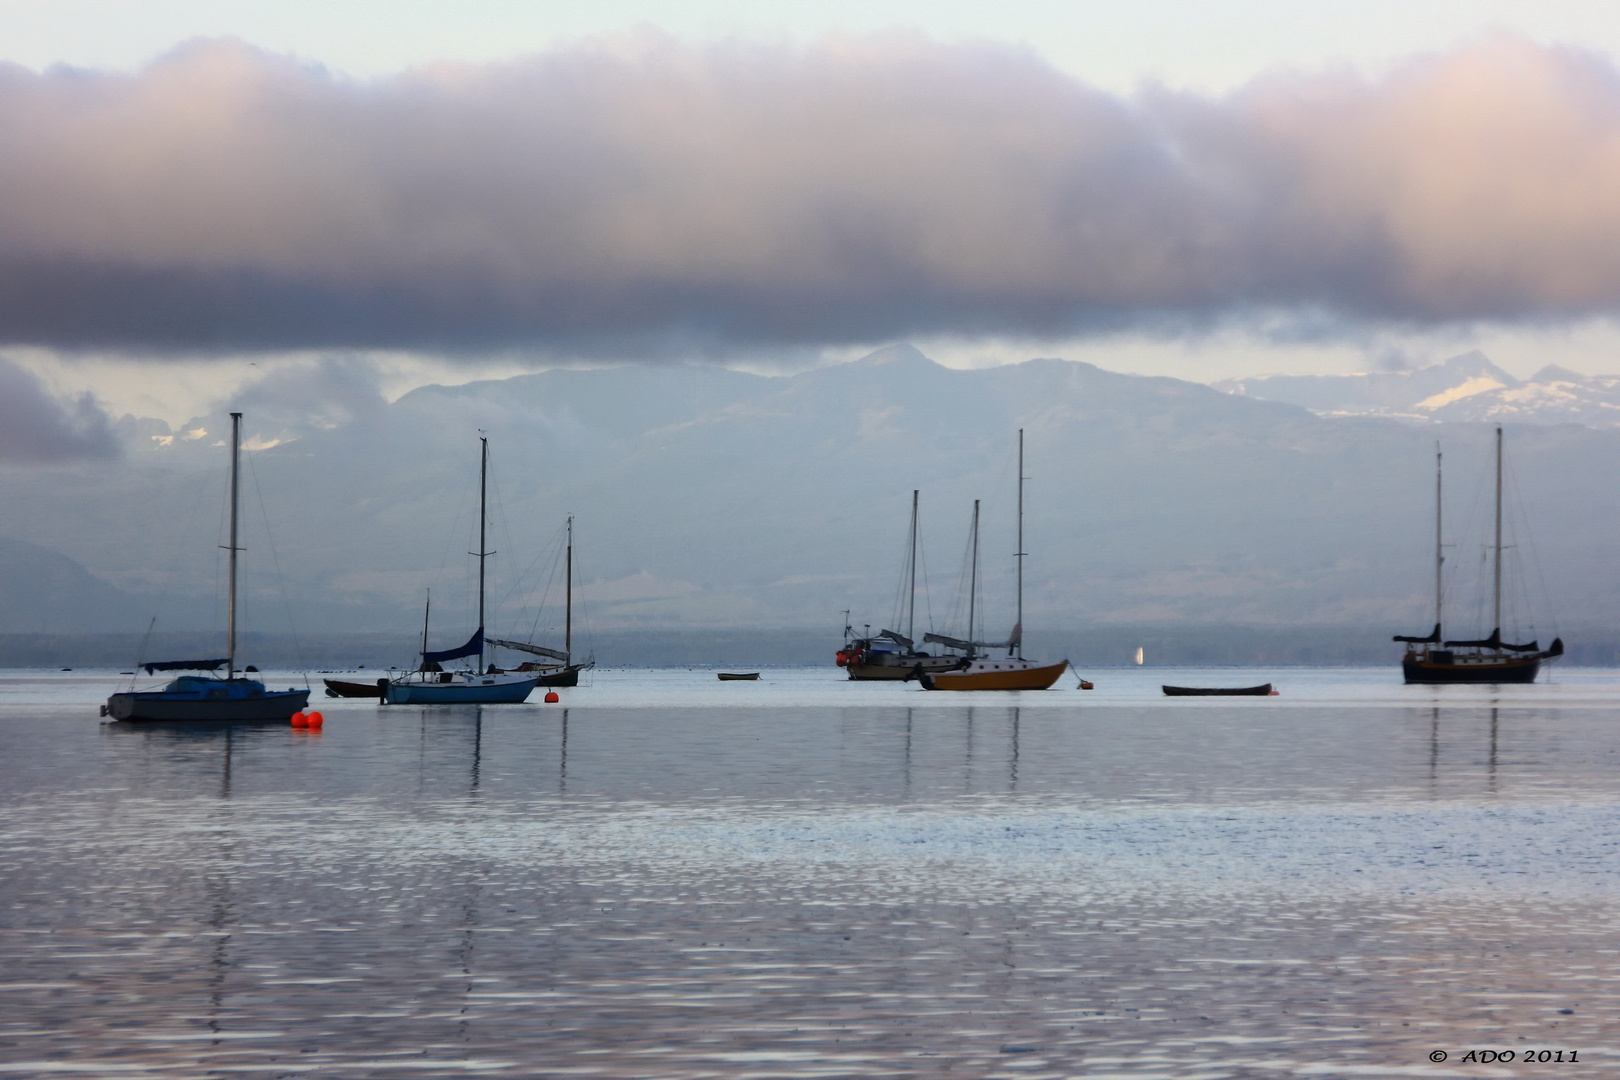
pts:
[1431, 660]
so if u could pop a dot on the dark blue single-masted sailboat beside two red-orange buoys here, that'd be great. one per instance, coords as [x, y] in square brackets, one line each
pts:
[231, 700]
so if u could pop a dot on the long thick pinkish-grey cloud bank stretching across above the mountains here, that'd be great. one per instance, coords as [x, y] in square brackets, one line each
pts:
[644, 197]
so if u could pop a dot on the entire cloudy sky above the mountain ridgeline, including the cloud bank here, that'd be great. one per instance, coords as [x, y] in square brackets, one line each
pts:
[458, 189]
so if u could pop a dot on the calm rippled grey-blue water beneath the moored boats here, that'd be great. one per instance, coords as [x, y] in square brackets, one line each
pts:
[670, 877]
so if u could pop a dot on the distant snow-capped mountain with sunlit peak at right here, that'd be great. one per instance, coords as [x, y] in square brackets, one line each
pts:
[1462, 389]
